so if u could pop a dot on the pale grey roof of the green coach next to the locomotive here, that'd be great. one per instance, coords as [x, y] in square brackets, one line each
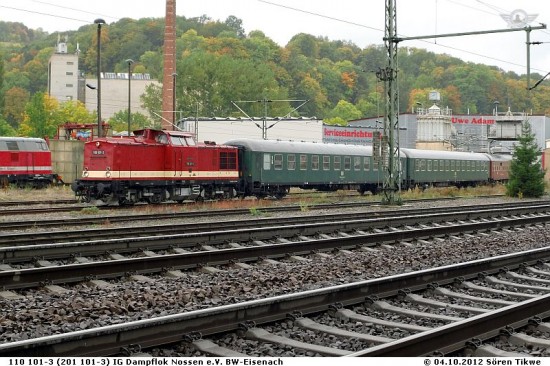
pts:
[300, 147]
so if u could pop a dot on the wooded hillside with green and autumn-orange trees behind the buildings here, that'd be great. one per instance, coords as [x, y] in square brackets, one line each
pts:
[219, 62]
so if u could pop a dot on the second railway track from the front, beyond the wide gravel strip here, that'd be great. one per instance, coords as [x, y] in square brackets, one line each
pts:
[177, 246]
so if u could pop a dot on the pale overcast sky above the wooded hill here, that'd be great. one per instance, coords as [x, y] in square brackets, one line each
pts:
[358, 21]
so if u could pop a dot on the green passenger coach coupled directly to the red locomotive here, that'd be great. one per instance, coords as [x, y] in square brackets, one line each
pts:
[272, 167]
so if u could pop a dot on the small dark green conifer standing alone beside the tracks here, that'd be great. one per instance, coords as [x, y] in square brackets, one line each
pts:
[526, 174]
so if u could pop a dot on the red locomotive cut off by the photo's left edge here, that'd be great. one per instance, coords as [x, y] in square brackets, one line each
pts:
[25, 162]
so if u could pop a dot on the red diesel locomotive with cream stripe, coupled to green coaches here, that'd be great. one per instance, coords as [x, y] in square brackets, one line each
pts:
[154, 166]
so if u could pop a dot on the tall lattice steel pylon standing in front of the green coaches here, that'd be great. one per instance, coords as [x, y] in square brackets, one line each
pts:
[390, 139]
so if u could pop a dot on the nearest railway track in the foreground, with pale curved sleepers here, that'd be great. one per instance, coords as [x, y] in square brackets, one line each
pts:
[450, 310]
